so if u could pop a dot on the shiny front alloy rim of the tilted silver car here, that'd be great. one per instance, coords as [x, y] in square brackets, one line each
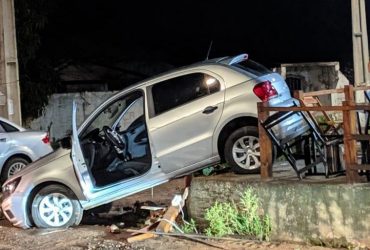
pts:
[56, 209]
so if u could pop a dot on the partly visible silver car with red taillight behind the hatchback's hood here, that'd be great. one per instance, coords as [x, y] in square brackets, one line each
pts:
[19, 147]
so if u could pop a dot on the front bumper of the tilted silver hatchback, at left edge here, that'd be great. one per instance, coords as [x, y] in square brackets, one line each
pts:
[14, 210]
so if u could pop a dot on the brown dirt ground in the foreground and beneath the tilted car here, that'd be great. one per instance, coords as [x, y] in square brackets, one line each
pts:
[94, 233]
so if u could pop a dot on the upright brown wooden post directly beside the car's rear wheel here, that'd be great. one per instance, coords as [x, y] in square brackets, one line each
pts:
[265, 145]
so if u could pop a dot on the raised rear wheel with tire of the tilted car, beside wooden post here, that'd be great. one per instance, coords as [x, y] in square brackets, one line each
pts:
[242, 150]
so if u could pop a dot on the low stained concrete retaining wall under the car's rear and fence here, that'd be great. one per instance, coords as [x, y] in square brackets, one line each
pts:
[298, 211]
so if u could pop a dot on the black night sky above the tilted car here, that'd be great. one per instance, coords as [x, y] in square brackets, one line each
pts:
[179, 32]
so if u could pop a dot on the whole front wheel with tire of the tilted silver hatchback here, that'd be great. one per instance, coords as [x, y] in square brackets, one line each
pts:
[56, 206]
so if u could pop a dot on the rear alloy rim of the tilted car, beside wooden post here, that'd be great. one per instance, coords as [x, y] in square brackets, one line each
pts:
[246, 152]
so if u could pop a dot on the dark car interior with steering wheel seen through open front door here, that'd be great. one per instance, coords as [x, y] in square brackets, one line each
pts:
[117, 149]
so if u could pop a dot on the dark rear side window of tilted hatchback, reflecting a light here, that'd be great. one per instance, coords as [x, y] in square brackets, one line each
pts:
[180, 90]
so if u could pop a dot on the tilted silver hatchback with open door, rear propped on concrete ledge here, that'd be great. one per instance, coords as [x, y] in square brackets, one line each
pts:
[161, 128]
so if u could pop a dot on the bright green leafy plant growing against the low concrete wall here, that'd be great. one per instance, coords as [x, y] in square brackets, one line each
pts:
[227, 218]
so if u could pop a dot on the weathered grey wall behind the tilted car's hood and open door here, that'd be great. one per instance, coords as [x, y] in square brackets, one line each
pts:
[58, 113]
